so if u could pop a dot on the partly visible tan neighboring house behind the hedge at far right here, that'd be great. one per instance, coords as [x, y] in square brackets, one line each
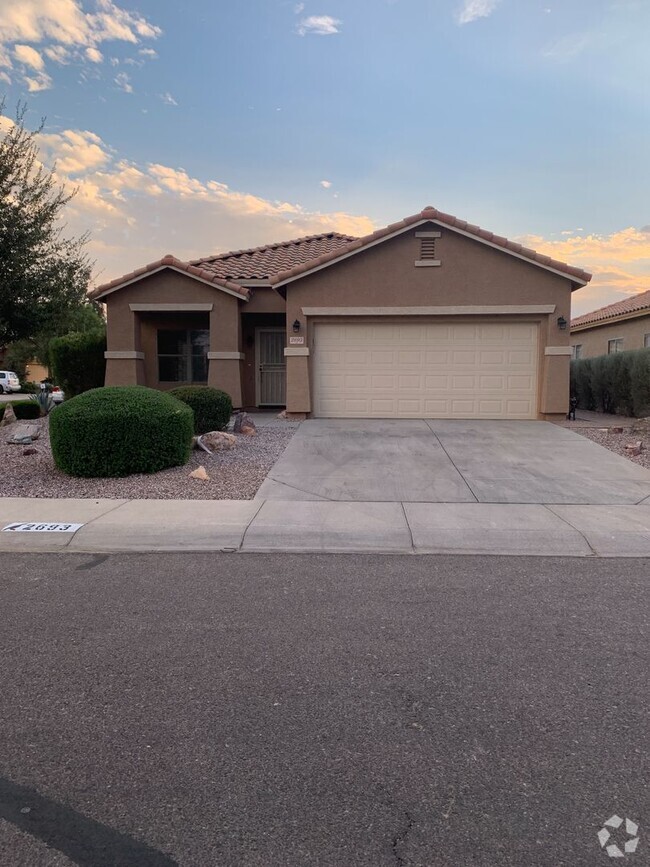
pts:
[619, 326]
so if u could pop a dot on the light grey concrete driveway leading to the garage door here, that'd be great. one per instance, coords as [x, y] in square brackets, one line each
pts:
[451, 461]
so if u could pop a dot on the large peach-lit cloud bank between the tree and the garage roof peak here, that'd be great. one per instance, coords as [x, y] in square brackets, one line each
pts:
[137, 212]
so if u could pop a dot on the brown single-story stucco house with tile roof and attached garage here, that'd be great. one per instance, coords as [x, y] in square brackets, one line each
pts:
[427, 318]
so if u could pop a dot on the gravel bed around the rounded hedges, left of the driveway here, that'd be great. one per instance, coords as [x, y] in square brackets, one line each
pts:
[234, 475]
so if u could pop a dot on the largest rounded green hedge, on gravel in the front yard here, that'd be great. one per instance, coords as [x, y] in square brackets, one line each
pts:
[120, 430]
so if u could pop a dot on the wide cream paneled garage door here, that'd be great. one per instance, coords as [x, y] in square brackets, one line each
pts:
[425, 370]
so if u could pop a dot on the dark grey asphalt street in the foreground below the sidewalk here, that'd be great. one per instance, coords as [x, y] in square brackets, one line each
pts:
[285, 711]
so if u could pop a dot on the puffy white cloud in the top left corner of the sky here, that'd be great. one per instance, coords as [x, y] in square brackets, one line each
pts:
[66, 32]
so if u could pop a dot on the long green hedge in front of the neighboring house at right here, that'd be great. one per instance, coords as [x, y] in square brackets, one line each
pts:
[617, 383]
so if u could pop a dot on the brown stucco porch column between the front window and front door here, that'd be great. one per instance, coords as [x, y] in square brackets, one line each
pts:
[225, 357]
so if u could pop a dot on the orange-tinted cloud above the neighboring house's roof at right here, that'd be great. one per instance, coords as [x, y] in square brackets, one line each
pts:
[620, 263]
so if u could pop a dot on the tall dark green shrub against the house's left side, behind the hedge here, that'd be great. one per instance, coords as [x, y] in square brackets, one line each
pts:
[77, 361]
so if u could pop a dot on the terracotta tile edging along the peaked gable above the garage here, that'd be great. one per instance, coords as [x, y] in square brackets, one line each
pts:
[430, 213]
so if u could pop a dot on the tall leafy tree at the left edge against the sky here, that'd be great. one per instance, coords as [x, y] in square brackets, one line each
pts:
[44, 275]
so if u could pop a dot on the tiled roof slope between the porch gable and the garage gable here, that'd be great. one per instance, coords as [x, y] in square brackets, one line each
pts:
[261, 263]
